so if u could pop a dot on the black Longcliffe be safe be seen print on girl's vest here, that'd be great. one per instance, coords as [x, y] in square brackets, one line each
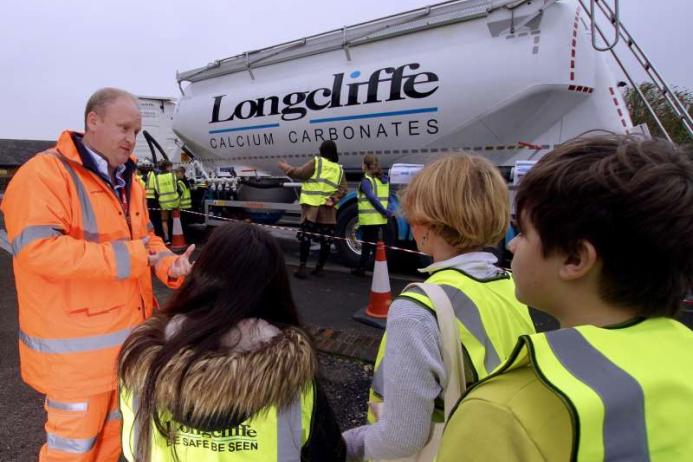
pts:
[233, 439]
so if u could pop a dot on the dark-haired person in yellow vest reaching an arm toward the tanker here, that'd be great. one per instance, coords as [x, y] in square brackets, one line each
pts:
[323, 186]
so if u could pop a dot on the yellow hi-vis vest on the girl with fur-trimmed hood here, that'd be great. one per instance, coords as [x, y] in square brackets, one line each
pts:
[274, 435]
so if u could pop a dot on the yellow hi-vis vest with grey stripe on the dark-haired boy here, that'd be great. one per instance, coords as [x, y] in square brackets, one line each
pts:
[628, 389]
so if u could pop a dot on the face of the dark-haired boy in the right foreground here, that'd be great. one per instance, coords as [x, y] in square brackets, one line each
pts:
[535, 276]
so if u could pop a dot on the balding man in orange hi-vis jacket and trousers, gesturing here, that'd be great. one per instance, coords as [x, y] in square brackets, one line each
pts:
[83, 251]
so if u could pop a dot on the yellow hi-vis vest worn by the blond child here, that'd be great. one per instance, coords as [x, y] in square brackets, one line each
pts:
[489, 320]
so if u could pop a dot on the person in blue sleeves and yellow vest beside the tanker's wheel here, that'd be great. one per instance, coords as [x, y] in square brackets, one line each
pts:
[373, 202]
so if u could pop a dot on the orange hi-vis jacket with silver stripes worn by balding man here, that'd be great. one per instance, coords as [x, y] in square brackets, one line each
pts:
[81, 268]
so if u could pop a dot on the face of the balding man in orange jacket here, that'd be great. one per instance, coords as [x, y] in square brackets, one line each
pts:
[112, 133]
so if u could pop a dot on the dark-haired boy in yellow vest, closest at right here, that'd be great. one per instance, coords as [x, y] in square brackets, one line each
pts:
[605, 245]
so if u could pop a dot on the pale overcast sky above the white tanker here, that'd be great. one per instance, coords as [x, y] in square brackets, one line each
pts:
[54, 54]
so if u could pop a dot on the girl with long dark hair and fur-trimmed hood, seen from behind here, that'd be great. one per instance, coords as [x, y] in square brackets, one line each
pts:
[224, 372]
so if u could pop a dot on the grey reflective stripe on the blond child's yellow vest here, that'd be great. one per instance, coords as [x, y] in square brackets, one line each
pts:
[468, 314]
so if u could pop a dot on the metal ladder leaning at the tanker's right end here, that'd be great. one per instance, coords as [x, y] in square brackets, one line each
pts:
[620, 32]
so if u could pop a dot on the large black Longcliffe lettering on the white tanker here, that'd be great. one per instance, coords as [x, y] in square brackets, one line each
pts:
[297, 104]
